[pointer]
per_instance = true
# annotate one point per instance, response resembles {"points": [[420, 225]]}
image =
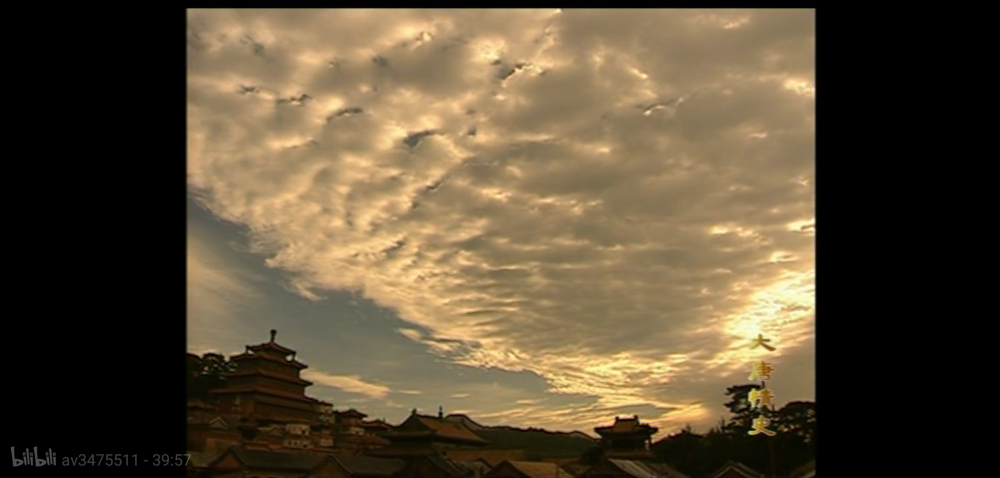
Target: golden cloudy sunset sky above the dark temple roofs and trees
{"points": [[538, 218]]}
